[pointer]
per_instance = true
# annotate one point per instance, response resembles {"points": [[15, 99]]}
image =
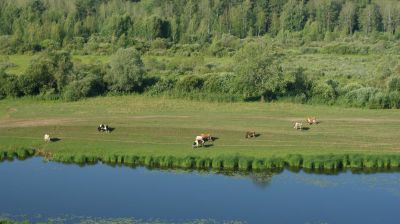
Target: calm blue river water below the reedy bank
{"points": [[39, 190]]}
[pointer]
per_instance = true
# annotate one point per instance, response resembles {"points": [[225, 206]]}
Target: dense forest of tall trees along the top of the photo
{"points": [[31, 25]]}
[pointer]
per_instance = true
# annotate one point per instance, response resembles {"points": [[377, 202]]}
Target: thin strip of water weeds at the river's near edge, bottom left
{"points": [[8, 219]]}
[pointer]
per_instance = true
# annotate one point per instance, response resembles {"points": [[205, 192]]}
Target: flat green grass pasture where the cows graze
{"points": [[149, 128]]}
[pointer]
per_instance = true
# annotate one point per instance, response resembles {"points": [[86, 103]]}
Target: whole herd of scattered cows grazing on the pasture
{"points": [[203, 138]]}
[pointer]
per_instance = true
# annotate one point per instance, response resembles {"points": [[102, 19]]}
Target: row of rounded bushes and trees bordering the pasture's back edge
{"points": [[257, 76]]}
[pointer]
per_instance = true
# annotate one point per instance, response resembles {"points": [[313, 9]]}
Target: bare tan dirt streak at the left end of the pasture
{"points": [[36, 122]]}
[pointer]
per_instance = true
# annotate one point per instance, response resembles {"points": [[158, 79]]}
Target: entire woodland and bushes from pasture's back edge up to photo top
{"points": [[257, 35]]}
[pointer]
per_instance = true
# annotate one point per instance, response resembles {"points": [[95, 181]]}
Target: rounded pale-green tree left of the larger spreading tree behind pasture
{"points": [[126, 72]]}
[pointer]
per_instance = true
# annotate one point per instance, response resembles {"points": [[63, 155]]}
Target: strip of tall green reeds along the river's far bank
{"points": [[329, 162]]}
